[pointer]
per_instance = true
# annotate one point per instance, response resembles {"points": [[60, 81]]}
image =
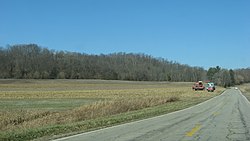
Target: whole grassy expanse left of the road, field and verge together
{"points": [[32, 109]]}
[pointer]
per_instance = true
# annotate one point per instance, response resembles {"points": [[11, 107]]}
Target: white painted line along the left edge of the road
{"points": [[64, 138]]}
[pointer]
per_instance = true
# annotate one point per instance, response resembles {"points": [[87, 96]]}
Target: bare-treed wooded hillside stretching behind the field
{"points": [[30, 61]]}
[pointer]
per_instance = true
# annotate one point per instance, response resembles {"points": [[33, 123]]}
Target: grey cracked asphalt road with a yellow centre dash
{"points": [[223, 118]]}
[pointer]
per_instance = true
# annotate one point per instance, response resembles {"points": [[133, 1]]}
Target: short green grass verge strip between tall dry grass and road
{"points": [[56, 131]]}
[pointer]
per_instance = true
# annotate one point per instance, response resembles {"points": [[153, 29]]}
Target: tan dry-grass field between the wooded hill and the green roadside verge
{"points": [[87, 100]]}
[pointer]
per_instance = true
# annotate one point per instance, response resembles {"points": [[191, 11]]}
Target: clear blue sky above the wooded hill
{"points": [[203, 33]]}
